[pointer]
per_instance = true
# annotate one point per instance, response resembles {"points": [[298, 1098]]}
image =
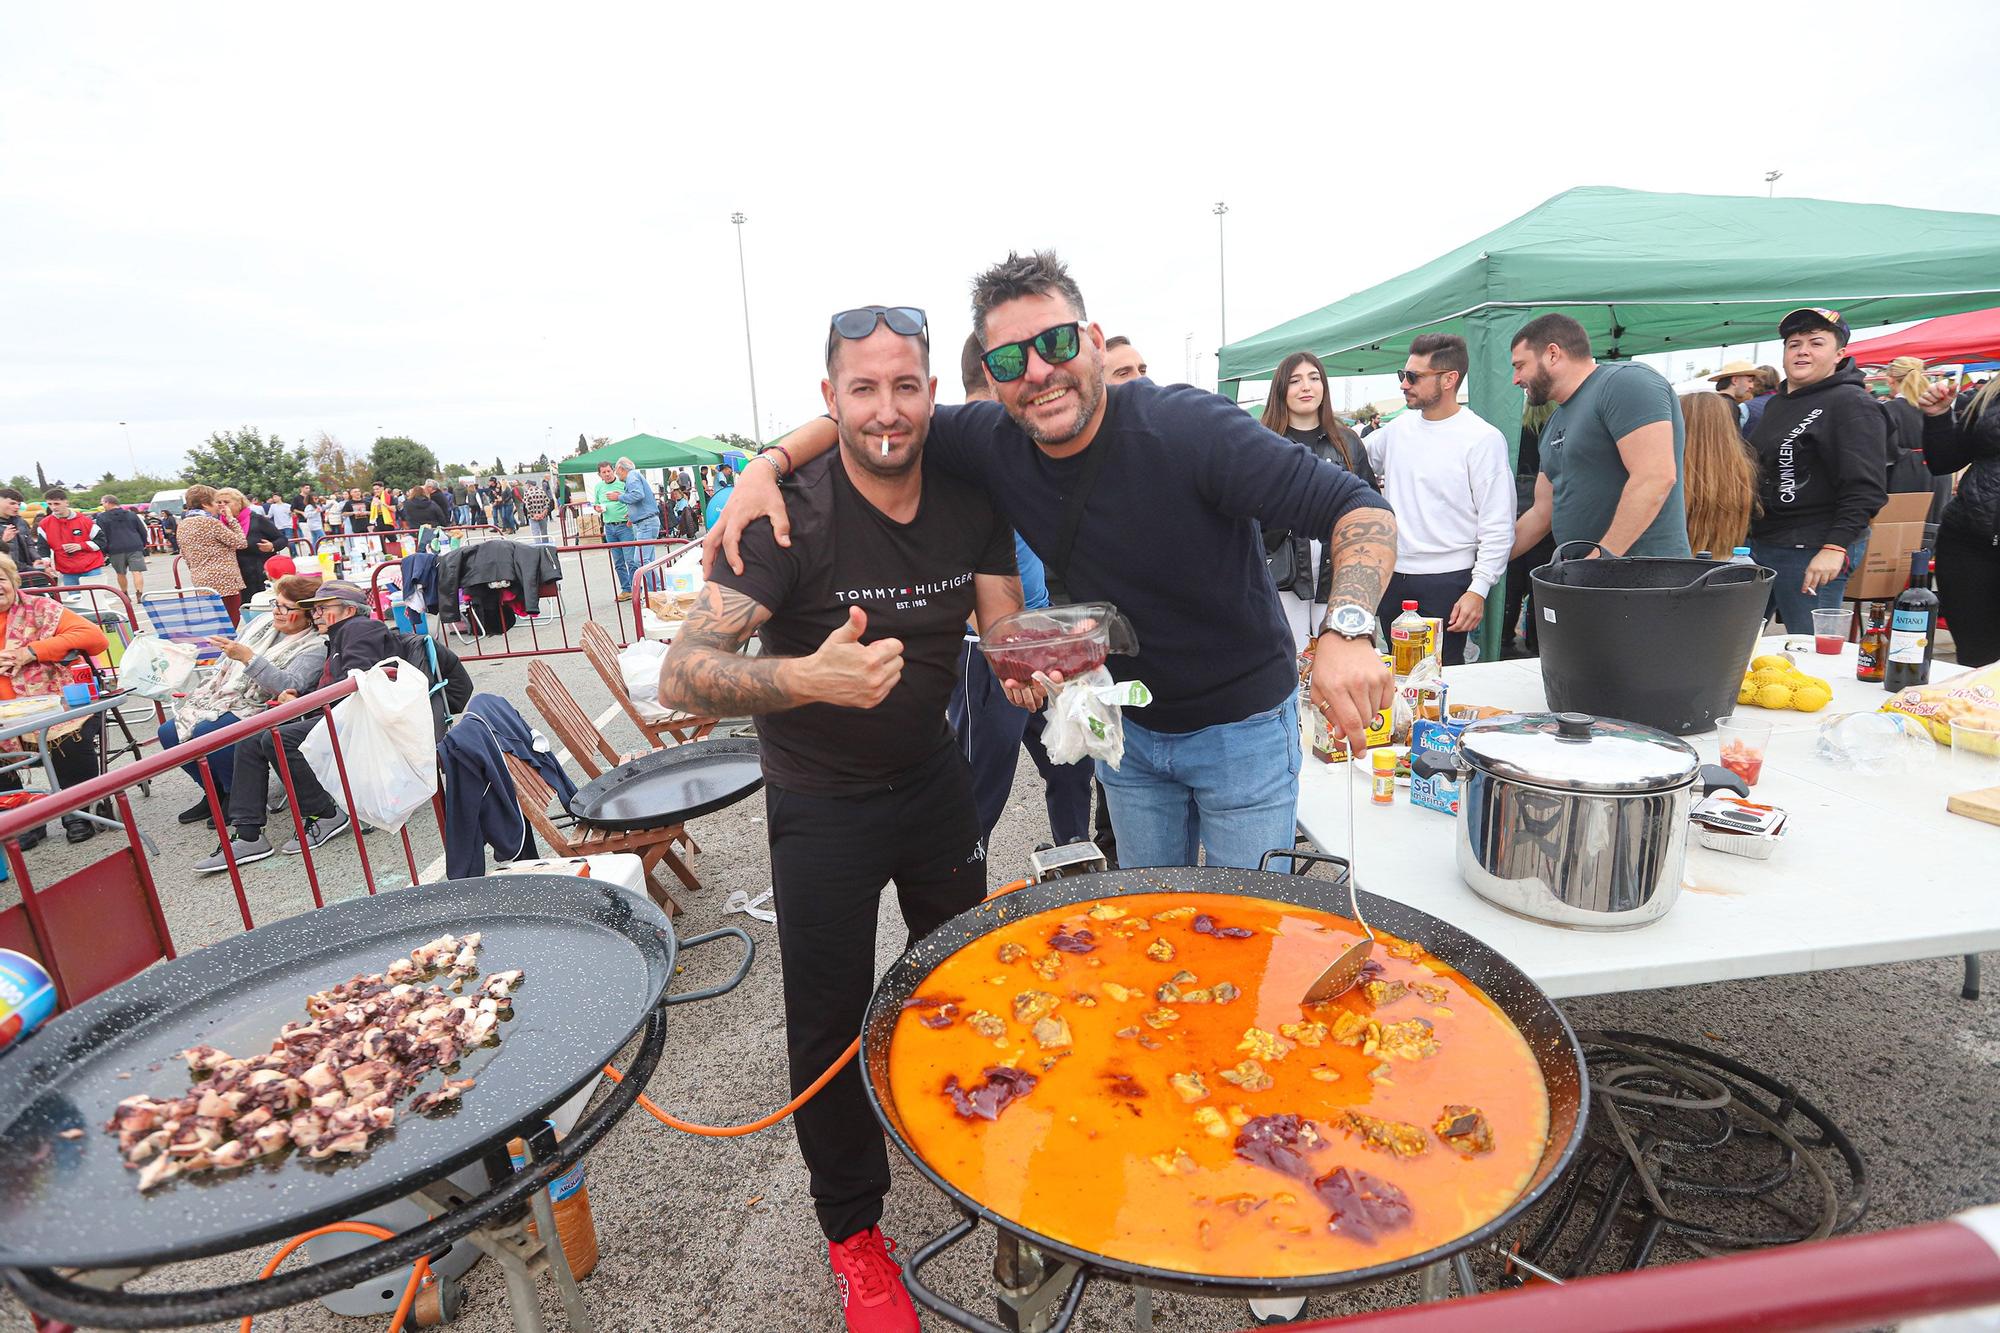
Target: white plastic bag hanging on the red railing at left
{"points": [[389, 748]]}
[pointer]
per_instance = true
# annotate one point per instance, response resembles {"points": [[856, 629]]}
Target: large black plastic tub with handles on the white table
{"points": [[1653, 641]]}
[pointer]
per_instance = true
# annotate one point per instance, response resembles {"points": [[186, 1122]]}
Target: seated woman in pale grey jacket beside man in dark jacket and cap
{"points": [[267, 657]]}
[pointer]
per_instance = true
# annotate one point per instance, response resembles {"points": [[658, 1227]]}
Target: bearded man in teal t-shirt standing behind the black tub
{"points": [[1611, 455]]}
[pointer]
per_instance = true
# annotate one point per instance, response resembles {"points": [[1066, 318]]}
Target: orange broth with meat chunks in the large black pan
{"points": [[1135, 1146]]}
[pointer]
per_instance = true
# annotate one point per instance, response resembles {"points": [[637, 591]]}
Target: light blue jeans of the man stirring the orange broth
{"points": [[1229, 788]]}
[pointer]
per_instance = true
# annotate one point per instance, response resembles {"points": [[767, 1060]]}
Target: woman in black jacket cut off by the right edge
{"points": [[1969, 533]]}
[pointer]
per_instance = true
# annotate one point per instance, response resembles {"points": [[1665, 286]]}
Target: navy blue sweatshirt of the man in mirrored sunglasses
{"points": [[1169, 535]]}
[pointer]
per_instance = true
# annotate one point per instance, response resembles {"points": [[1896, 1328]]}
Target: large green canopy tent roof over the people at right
{"points": [[1645, 273]]}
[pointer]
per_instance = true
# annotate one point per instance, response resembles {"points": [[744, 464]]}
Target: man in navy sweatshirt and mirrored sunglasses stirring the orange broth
{"points": [[1153, 499]]}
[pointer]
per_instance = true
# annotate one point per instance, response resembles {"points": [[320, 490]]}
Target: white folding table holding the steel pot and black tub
{"points": [[1873, 870]]}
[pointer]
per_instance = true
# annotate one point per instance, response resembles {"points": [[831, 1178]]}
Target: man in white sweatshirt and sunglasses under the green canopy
{"points": [[1447, 475]]}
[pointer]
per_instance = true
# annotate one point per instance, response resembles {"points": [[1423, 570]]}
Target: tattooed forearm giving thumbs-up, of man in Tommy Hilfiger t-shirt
{"points": [[707, 674]]}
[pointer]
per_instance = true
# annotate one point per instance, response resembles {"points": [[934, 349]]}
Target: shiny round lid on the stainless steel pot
{"points": [[1577, 752]]}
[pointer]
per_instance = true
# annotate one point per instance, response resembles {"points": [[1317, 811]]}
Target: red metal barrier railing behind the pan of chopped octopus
{"points": [[103, 924]]}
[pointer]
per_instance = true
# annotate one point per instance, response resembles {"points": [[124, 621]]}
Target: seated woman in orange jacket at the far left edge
{"points": [[35, 635]]}
